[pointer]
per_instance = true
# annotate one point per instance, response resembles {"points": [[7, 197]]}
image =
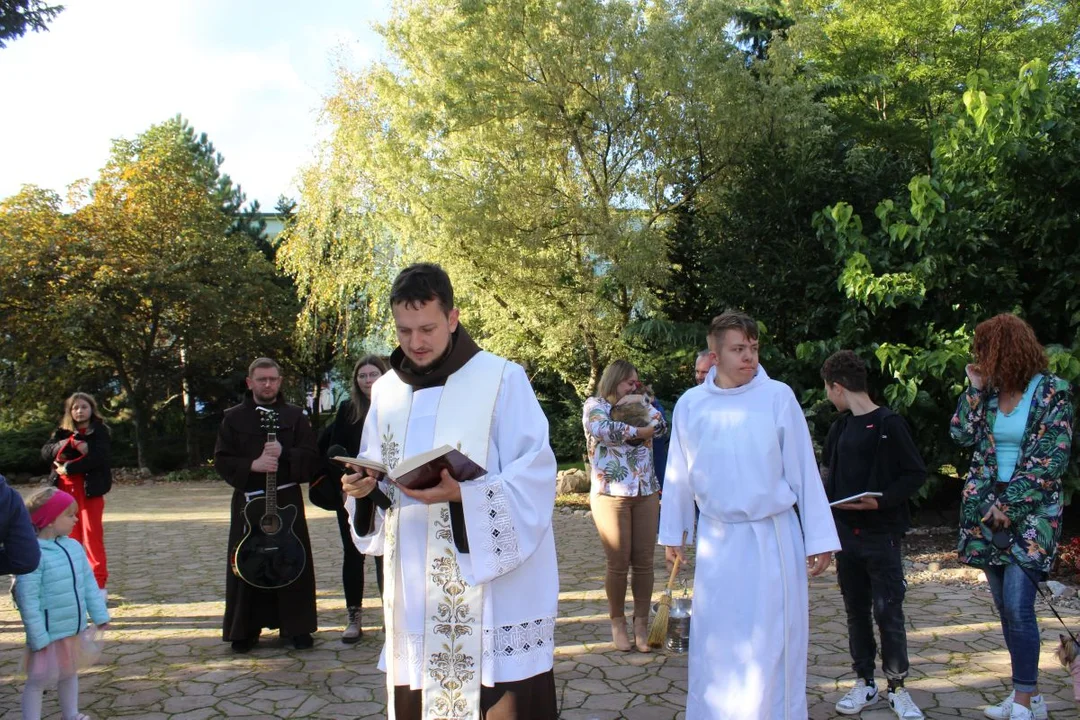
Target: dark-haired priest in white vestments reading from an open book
{"points": [[471, 579]]}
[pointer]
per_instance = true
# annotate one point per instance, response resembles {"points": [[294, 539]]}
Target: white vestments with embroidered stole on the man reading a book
{"points": [[457, 621]]}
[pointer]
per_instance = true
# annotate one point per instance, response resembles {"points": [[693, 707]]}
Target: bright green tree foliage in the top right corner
{"points": [[892, 69]]}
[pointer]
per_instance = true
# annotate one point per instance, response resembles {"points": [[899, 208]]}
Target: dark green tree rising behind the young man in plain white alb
{"points": [[747, 241]]}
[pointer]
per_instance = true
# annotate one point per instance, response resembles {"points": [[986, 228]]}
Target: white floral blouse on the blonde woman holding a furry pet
{"points": [[616, 467]]}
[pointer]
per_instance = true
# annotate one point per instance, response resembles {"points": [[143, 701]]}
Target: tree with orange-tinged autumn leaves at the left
{"points": [[143, 281]]}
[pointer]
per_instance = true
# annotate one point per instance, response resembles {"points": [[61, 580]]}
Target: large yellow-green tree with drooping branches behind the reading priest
{"points": [[536, 150]]}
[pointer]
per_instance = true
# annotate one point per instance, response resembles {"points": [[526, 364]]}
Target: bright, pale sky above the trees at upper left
{"points": [[250, 74]]}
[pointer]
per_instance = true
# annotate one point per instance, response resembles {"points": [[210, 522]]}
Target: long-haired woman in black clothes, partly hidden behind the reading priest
{"points": [[346, 431]]}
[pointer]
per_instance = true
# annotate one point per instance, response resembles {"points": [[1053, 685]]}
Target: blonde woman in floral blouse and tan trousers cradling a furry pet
{"points": [[620, 425]]}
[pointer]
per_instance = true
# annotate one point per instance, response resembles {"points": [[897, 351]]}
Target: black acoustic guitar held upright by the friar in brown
{"points": [[271, 555]]}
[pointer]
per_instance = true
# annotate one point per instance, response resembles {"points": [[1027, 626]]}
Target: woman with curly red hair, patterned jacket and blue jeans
{"points": [[1018, 418]]}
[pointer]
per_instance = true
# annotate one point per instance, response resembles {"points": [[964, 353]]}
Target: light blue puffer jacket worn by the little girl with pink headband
{"points": [[56, 599]]}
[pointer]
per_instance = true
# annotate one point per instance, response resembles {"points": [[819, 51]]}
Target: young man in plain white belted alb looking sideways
{"points": [[741, 449]]}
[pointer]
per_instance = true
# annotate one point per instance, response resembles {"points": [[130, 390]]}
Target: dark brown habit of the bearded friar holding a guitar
{"points": [[240, 442]]}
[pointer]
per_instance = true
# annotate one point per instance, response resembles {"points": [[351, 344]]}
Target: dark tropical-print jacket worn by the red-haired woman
{"points": [[1033, 499]]}
